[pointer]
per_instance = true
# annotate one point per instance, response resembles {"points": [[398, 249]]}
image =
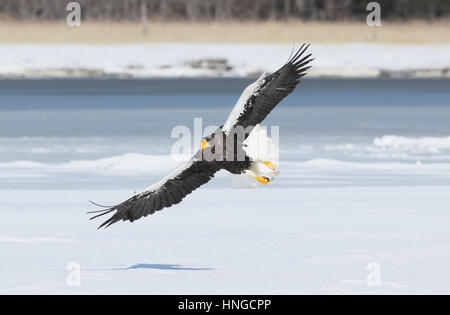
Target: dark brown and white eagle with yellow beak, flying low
{"points": [[227, 148]]}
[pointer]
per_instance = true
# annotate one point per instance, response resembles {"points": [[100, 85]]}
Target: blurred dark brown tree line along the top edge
{"points": [[132, 10]]}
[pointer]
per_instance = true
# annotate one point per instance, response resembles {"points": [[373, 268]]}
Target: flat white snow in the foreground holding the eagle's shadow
{"points": [[278, 240]]}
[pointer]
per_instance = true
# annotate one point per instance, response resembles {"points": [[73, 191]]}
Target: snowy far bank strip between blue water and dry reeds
{"points": [[219, 60]]}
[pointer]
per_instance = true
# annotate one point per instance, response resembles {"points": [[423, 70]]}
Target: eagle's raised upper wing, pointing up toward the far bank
{"points": [[261, 97]]}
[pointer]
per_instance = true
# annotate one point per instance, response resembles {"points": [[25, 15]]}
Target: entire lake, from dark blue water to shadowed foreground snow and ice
{"points": [[365, 179]]}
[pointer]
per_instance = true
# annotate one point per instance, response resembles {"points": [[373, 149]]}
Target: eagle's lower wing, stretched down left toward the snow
{"points": [[170, 190]]}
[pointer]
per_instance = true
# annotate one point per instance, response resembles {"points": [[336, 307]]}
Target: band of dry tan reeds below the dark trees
{"points": [[277, 32]]}
